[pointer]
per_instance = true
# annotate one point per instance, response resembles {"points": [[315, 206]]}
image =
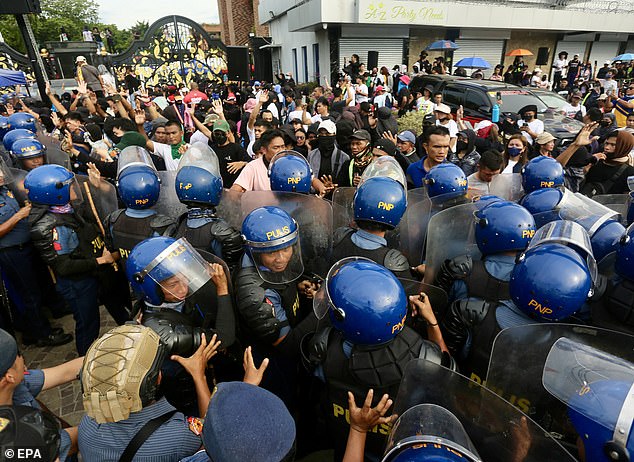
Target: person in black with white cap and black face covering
{"points": [[327, 160]]}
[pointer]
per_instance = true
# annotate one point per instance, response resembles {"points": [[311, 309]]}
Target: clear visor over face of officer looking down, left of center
{"points": [[179, 271]]}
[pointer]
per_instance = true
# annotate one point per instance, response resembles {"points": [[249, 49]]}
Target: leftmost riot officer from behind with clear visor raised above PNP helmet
{"points": [[138, 186]]}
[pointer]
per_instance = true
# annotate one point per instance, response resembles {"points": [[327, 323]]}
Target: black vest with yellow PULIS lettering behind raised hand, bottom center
{"points": [[379, 367]]}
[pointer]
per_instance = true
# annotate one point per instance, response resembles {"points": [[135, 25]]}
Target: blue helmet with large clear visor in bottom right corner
{"points": [[598, 389]]}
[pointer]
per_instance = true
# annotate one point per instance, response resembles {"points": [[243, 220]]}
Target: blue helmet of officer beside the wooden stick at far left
{"points": [[51, 185]]}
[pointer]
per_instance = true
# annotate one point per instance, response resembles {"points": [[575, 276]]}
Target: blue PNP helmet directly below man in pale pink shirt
{"points": [[289, 171]]}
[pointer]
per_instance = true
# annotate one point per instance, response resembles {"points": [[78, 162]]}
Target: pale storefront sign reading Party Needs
{"points": [[401, 12]]}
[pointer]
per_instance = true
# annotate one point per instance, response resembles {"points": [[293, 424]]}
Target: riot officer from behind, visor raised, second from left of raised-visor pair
{"points": [[199, 186]]}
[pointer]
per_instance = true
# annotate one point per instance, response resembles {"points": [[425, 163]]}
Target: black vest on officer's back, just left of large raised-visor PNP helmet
{"points": [[481, 284]]}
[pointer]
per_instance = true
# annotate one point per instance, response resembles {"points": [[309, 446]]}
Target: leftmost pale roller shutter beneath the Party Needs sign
{"points": [[390, 50]]}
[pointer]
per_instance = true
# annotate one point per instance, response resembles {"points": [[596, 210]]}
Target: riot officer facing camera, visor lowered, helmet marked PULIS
{"points": [[267, 294]]}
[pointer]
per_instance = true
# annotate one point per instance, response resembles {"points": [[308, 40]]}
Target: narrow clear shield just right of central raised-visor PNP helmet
{"points": [[413, 226]]}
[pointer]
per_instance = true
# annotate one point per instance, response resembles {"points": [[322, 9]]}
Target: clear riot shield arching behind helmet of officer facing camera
{"points": [[314, 217]]}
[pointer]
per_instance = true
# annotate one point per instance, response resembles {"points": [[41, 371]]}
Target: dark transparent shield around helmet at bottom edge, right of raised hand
{"points": [[496, 430]]}
